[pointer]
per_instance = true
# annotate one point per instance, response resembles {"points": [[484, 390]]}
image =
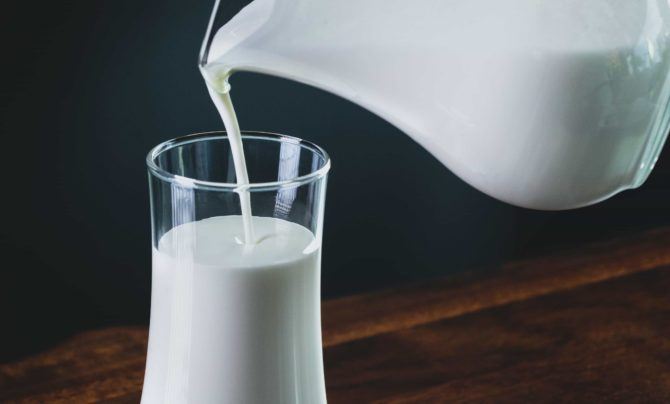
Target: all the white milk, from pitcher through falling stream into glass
{"points": [[547, 105]]}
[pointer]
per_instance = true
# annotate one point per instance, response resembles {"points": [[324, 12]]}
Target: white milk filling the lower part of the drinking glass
{"points": [[232, 322]]}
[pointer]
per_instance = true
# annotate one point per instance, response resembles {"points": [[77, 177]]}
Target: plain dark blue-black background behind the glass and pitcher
{"points": [[89, 87]]}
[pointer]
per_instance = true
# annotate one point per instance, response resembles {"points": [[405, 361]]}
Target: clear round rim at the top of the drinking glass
{"points": [[227, 186]]}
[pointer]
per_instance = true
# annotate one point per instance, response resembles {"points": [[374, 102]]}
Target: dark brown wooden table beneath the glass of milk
{"points": [[581, 326]]}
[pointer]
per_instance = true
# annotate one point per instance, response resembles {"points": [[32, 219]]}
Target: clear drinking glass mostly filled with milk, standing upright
{"points": [[235, 322]]}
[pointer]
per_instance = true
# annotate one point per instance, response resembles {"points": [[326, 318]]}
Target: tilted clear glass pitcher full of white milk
{"points": [[543, 104]]}
